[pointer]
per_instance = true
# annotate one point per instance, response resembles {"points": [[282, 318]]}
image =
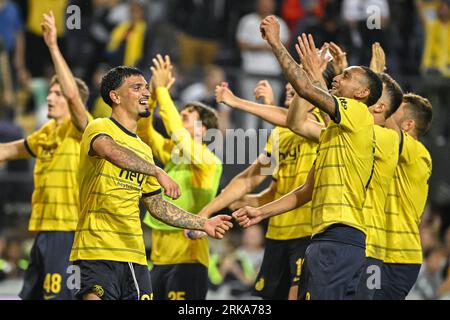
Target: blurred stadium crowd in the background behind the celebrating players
{"points": [[211, 41]]}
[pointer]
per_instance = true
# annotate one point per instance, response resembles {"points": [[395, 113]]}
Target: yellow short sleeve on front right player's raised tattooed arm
{"points": [[351, 114]]}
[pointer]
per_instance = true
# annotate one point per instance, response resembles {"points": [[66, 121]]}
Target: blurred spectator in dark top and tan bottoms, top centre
{"points": [[201, 26]]}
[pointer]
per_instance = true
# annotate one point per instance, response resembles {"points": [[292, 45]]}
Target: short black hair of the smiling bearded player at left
{"points": [[114, 78]]}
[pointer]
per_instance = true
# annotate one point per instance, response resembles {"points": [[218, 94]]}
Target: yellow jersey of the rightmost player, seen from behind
{"points": [[406, 200]]}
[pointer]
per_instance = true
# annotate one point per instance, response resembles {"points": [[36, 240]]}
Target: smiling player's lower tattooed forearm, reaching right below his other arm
{"points": [[171, 214]]}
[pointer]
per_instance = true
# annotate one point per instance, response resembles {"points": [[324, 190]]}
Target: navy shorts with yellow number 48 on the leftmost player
{"points": [[49, 268]]}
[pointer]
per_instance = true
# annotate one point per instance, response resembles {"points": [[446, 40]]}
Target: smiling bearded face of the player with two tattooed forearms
{"points": [[133, 95]]}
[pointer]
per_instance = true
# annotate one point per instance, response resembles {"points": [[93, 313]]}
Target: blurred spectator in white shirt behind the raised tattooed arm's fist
{"points": [[258, 61]]}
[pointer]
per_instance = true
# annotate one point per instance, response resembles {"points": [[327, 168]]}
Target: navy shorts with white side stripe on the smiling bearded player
{"points": [[113, 280]]}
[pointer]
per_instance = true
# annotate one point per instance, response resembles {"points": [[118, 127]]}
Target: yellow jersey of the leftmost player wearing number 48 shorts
{"points": [[55, 196]]}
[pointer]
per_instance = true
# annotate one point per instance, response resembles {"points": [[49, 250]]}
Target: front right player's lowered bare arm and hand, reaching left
{"points": [[249, 216]]}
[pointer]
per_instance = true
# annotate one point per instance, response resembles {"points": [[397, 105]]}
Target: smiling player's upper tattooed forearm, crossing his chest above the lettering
{"points": [[128, 160]]}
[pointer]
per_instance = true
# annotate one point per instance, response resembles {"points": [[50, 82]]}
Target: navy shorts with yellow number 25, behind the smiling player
{"points": [[184, 281]]}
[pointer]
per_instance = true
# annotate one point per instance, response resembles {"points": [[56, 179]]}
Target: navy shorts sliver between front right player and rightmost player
{"points": [[370, 280]]}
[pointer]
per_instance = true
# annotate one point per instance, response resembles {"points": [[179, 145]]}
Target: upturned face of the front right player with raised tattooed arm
{"points": [[348, 84]]}
